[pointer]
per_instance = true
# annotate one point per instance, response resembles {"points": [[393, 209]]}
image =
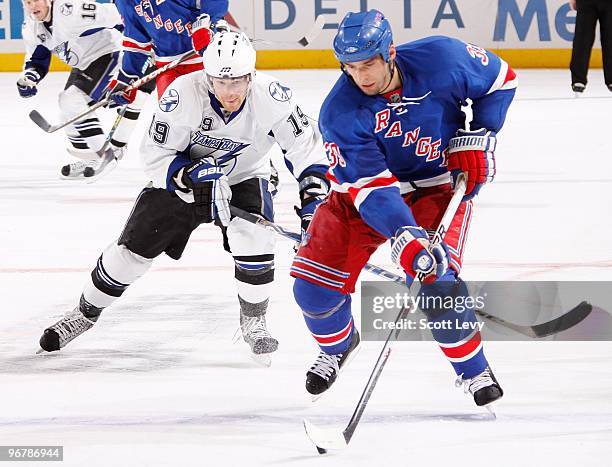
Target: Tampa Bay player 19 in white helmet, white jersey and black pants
{"points": [[208, 146]]}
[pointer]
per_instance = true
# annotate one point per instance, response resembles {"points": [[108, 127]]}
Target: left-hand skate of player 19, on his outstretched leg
{"points": [[73, 324]]}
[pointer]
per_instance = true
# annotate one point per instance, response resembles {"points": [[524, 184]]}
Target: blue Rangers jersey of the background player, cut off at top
{"points": [[162, 27]]}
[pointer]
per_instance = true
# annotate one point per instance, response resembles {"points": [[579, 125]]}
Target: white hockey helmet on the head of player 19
{"points": [[229, 55]]}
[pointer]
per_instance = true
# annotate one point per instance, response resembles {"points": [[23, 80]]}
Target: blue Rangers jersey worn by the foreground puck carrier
{"points": [[379, 148]]}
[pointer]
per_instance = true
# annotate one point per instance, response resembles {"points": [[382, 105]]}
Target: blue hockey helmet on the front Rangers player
{"points": [[362, 36]]}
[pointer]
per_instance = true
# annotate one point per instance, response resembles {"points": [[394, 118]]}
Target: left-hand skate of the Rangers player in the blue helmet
{"points": [[326, 368]]}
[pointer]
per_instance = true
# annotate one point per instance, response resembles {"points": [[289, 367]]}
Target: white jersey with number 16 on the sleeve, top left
{"points": [[79, 32]]}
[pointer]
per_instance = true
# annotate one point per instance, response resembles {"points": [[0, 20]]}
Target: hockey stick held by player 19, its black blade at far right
{"points": [[548, 328]]}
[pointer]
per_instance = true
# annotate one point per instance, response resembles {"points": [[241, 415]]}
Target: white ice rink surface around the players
{"points": [[158, 381]]}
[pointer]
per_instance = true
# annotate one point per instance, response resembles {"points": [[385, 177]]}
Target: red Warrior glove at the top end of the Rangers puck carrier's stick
{"points": [[471, 152]]}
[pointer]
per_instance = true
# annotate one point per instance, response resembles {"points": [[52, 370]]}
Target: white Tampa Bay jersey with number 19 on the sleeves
{"points": [[189, 122]]}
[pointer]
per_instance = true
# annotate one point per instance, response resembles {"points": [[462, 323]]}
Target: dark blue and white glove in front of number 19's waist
{"points": [[211, 190]]}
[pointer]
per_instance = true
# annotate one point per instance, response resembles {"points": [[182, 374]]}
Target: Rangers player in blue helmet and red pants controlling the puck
{"points": [[395, 135]]}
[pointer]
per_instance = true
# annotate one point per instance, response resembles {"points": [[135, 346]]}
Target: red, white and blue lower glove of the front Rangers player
{"points": [[414, 253]]}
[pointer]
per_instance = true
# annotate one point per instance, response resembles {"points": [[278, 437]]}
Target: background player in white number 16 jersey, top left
{"points": [[87, 36]]}
